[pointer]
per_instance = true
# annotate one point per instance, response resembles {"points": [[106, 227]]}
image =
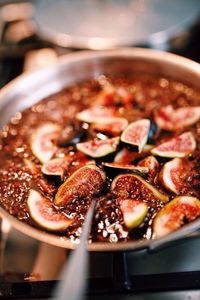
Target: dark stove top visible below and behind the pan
{"points": [[26, 271]]}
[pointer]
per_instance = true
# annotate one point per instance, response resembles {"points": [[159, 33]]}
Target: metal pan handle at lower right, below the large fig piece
{"points": [[174, 239]]}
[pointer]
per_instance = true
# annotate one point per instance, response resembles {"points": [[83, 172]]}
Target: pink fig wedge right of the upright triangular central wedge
{"points": [[179, 146]]}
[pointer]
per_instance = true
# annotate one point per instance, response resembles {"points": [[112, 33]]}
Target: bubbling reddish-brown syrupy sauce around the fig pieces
{"points": [[133, 98]]}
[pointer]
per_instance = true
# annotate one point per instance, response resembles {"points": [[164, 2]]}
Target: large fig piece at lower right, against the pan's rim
{"points": [[180, 210]]}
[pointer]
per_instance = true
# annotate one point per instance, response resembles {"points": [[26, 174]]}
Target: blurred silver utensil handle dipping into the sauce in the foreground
{"points": [[74, 286]]}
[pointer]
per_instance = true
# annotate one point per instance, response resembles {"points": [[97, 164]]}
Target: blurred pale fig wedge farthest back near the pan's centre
{"points": [[96, 113]]}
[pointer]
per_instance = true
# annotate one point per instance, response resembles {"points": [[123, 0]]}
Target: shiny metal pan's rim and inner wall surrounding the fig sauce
{"points": [[27, 89]]}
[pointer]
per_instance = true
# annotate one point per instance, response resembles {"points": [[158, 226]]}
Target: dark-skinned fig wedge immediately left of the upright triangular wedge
{"points": [[98, 148]]}
